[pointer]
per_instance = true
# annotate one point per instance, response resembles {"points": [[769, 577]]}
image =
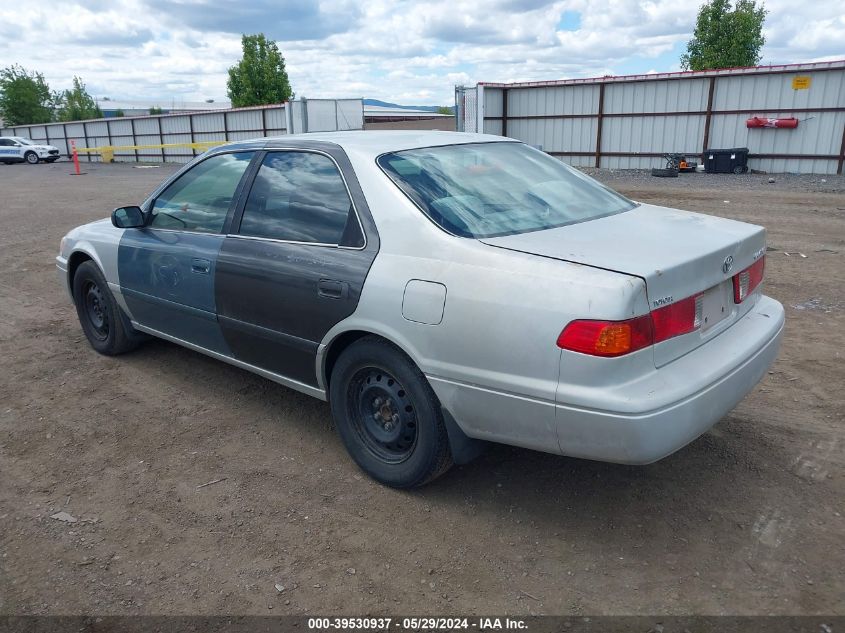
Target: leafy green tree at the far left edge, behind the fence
{"points": [[24, 97]]}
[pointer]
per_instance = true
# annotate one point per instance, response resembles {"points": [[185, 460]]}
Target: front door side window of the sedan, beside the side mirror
{"points": [[199, 200]]}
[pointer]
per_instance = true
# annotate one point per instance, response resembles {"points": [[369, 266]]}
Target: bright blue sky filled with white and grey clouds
{"points": [[405, 51]]}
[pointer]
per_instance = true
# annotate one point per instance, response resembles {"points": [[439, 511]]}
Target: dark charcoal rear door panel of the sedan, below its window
{"points": [[276, 301]]}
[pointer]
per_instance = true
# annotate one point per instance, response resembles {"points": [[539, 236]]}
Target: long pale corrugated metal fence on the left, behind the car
{"points": [[225, 125]]}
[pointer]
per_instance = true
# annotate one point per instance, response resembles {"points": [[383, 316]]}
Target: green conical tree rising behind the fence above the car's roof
{"points": [[260, 77]]}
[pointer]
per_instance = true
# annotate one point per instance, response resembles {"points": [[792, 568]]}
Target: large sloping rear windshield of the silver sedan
{"points": [[483, 190]]}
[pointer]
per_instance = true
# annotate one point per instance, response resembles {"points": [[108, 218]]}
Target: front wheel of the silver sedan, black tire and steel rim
{"points": [[101, 318]]}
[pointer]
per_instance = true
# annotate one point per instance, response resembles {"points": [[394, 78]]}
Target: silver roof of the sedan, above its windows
{"points": [[372, 142]]}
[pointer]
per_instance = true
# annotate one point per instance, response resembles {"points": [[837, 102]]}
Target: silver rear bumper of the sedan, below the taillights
{"points": [[644, 433]]}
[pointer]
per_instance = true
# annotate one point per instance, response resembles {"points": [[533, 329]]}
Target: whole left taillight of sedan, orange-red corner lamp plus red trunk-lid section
{"points": [[615, 338]]}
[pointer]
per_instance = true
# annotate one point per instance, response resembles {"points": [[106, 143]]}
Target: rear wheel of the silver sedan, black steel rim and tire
{"points": [[388, 416]]}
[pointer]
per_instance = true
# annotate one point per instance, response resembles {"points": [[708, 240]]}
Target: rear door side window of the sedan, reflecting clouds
{"points": [[297, 197]]}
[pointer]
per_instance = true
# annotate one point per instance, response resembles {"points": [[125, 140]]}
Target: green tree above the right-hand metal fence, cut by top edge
{"points": [[725, 37]]}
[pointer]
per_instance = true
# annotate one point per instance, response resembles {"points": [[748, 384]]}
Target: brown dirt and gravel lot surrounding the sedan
{"points": [[746, 520]]}
